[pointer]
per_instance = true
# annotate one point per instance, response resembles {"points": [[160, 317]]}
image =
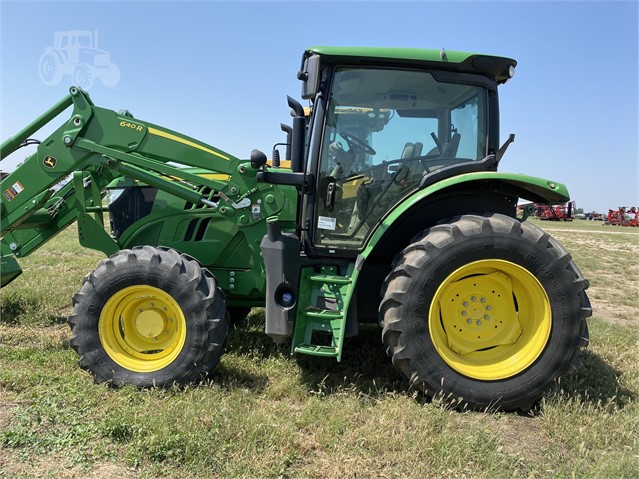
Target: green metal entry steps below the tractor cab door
{"points": [[320, 323]]}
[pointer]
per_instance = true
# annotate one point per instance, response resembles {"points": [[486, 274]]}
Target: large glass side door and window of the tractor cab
{"points": [[385, 129]]}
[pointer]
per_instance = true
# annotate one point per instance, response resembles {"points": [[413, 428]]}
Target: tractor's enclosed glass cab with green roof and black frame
{"points": [[386, 123]]}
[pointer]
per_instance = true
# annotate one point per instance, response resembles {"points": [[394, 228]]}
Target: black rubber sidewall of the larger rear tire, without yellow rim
{"points": [[490, 245]]}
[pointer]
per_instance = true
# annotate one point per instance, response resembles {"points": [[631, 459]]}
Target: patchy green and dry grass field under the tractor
{"points": [[263, 413]]}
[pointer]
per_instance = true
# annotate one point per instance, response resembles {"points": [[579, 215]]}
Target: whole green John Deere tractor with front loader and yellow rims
{"points": [[390, 211]]}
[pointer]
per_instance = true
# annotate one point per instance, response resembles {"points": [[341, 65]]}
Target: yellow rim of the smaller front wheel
{"points": [[142, 328]]}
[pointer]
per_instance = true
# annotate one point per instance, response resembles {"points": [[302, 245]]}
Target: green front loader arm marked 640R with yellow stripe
{"points": [[65, 179]]}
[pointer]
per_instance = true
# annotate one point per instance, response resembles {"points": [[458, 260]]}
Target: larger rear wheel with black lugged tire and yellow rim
{"points": [[485, 312]]}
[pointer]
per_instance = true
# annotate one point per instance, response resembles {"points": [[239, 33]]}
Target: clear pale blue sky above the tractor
{"points": [[220, 71]]}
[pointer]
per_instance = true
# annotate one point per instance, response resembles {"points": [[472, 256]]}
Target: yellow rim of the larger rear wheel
{"points": [[490, 320]]}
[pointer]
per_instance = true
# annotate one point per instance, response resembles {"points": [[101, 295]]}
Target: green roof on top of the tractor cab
{"points": [[491, 66]]}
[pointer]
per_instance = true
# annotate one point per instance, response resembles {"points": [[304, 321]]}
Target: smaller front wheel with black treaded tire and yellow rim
{"points": [[148, 317]]}
